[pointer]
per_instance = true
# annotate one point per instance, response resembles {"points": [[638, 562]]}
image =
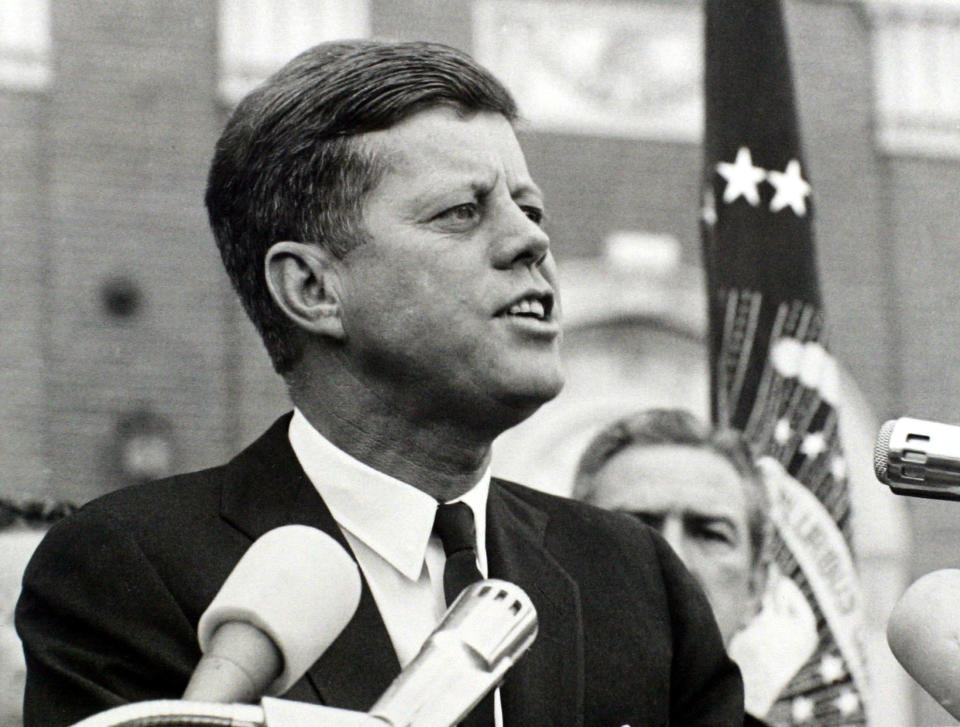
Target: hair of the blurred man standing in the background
{"points": [[678, 427]]}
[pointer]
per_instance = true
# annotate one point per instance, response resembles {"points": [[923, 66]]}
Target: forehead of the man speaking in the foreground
{"points": [[432, 147]]}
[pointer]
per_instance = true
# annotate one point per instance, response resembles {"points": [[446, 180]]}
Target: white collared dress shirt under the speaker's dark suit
{"points": [[388, 525]]}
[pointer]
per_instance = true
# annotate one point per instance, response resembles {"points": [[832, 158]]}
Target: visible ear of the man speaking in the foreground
{"points": [[303, 281]]}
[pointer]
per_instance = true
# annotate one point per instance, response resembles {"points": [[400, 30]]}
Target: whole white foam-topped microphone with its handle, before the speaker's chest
{"points": [[287, 599]]}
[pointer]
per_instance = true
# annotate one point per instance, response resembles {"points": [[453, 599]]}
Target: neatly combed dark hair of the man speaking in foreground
{"points": [[288, 165]]}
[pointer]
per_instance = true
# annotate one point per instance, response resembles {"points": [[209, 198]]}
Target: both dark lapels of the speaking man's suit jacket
{"points": [[266, 488]]}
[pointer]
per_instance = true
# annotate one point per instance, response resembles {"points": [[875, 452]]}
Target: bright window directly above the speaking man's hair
{"points": [[259, 36]]}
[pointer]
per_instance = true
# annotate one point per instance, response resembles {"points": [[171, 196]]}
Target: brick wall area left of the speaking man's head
{"points": [[103, 176]]}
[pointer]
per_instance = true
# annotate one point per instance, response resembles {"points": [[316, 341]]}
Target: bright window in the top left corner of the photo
{"points": [[24, 44]]}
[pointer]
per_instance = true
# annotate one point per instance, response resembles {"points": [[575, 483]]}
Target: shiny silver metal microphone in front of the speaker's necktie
{"points": [[488, 627]]}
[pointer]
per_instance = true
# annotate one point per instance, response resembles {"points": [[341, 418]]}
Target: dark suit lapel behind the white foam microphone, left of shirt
{"points": [[268, 489]]}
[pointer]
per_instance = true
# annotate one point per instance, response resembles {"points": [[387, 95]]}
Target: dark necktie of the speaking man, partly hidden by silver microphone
{"points": [[454, 526]]}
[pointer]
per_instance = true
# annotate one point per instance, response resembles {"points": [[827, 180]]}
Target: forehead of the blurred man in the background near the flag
{"points": [[665, 478]]}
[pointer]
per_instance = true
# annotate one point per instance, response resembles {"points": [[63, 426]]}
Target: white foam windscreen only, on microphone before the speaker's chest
{"points": [[298, 586]]}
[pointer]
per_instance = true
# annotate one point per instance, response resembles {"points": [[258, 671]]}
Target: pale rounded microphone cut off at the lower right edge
{"points": [[924, 634]]}
